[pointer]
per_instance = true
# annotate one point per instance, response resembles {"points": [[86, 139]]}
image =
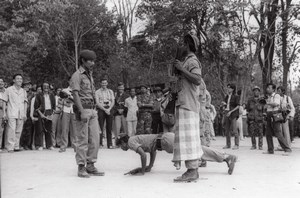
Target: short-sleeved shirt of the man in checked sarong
{"points": [[188, 92]]}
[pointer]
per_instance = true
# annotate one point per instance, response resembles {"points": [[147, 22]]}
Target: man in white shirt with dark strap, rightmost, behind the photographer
{"points": [[288, 108]]}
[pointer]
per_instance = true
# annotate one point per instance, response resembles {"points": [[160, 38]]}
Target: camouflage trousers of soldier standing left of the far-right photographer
{"points": [[255, 129]]}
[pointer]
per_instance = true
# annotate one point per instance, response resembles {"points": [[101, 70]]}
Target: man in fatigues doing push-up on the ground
{"points": [[150, 143]]}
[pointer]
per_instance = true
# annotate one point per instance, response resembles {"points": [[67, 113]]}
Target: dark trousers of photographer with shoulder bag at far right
{"points": [[275, 128]]}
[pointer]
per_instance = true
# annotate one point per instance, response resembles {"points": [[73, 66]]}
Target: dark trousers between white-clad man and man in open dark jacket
{"points": [[27, 134]]}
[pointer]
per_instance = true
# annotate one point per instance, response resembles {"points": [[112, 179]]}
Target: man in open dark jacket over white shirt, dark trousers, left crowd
{"points": [[44, 105]]}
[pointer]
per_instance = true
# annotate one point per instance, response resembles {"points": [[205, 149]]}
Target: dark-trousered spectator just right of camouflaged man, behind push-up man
{"points": [[157, 125]]}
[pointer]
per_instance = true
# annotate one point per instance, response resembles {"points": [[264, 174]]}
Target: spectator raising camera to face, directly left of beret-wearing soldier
{"points": [[67, 121]]}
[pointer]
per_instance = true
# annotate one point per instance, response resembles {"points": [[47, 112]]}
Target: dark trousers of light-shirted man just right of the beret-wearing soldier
{"points": [[102, 117]]}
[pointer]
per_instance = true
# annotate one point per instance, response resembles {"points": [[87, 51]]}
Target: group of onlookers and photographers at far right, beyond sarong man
{"points": [[270, 114]]}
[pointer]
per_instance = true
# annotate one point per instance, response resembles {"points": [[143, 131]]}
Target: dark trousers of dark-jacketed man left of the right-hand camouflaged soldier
{"points": [[231, 128]]}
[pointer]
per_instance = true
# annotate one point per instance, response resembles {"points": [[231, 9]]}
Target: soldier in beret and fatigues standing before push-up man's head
{"points": [[87, 127]]}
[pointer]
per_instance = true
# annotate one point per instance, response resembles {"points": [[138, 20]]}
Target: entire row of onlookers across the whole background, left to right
{"points": [[38, 117]]}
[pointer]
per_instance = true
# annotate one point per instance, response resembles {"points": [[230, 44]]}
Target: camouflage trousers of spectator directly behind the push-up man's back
{"points": [[144, 123]]}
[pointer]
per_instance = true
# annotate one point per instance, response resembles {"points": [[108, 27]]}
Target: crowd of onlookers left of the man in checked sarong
{"points": [[38, 117]]}
